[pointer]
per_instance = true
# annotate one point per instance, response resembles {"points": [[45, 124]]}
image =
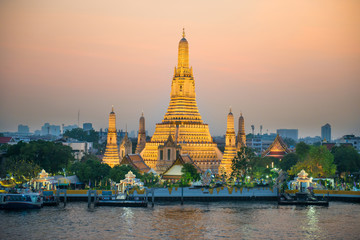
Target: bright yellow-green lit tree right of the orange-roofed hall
{"points": [[319, 162]]}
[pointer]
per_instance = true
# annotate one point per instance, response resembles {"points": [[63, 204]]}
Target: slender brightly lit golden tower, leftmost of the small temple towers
{"points": [[111, 156]]}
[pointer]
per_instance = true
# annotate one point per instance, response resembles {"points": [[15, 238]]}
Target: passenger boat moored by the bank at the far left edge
{"points": [[20, 201]]}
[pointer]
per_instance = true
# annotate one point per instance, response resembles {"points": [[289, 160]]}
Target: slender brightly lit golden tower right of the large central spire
{"points": [[230, 146]]}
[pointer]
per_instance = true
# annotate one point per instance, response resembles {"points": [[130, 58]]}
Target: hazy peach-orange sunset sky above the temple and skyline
{"points": [[282, 63]]}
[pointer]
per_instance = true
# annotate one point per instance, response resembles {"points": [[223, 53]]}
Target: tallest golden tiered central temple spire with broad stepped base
{"points": [[182, 121]]}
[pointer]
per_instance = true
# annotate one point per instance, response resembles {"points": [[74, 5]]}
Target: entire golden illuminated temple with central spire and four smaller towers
{"points": [[182, 133]]}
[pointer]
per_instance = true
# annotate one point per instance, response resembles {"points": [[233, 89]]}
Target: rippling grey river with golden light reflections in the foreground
{"points": [[222, 220]]}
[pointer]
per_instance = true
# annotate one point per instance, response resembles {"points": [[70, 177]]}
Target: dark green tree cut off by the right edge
{"points": [[346, 158]]}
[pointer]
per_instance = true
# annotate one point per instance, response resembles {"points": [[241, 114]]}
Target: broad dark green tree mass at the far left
{"points": [[52, 157]]}
